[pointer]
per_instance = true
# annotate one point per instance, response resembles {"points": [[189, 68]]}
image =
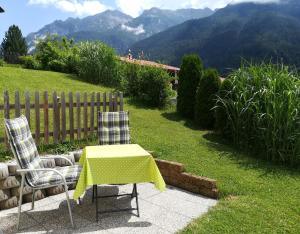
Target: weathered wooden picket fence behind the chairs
{"points": [[72, 115]]}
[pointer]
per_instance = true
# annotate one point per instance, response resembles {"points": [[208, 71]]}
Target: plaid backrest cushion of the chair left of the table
{"points": [[24, 146]]}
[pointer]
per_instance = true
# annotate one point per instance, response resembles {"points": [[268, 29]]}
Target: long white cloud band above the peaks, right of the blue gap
{"points": [[136, 7]]}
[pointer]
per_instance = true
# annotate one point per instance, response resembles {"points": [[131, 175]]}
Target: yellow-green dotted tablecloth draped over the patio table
{"points": [[117, 164]]}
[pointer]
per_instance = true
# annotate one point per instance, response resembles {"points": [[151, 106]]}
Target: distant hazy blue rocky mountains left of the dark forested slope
{"points": [[116, 28]]}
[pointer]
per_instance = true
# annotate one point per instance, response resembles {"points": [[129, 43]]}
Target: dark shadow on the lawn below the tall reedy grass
{"points": [[248, 160]]}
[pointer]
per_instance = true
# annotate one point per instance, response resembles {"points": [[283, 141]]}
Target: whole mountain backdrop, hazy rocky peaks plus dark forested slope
{"points": [[222, 38]]}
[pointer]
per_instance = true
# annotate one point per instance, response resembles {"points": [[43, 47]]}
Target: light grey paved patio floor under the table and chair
{"points": [[160, 212]]}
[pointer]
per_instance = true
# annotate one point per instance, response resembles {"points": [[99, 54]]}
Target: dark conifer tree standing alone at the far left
{"points": [[13, 45]]}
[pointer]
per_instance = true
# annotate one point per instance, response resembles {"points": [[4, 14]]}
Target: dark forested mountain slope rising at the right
{"points": [[251, 31]]}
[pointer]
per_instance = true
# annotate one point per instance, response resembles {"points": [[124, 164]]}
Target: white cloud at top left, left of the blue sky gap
{"points": [[80, 8]]}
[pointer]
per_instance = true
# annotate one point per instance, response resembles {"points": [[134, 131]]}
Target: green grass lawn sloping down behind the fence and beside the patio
{"points": [[255, 196]]}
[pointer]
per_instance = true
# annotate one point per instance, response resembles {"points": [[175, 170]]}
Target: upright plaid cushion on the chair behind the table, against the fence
{"points": [[113, 128]]}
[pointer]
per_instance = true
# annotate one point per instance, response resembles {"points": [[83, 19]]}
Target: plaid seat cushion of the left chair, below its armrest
{"points": [[71, 174]]}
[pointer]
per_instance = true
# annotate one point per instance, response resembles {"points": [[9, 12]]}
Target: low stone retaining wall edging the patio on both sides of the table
{"points": [[172, 172]]}
